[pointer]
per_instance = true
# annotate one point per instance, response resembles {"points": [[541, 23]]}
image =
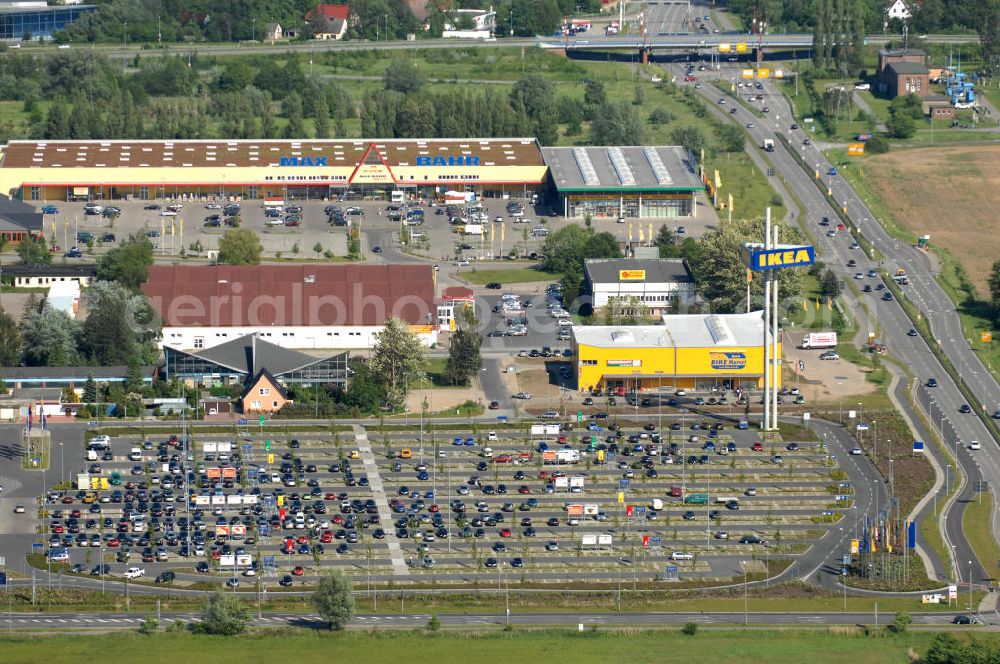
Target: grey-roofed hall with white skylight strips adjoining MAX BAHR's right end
{"points": [[623, 182]]}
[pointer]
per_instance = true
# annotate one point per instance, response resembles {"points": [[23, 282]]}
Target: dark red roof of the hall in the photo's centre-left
{"points": [[290, 295]]}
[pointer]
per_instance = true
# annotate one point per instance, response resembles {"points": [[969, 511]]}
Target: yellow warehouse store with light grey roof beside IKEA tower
{"points": [[691, 352]]}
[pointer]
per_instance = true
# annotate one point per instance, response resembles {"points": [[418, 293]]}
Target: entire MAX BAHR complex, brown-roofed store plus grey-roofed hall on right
{"points": [[606, 181]]}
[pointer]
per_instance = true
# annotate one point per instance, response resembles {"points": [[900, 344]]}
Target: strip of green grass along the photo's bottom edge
{"points": [[515, 647]]}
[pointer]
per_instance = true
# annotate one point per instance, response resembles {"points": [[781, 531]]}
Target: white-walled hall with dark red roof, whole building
{"points": [[299, 306]]}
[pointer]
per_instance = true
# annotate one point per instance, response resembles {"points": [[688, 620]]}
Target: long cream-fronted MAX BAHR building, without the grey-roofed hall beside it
{"points": [[256, 169]]}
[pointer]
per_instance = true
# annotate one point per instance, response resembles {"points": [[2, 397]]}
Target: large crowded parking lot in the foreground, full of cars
{"points": [[451, 506]]}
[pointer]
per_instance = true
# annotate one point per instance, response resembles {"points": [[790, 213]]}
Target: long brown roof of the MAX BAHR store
{"points": [[337, 152]]}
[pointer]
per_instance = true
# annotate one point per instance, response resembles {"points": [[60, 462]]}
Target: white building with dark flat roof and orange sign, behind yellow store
{"points": [[651, 287]]}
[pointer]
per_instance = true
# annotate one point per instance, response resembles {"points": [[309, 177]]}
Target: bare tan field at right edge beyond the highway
{"points": [[952, 194]]}
